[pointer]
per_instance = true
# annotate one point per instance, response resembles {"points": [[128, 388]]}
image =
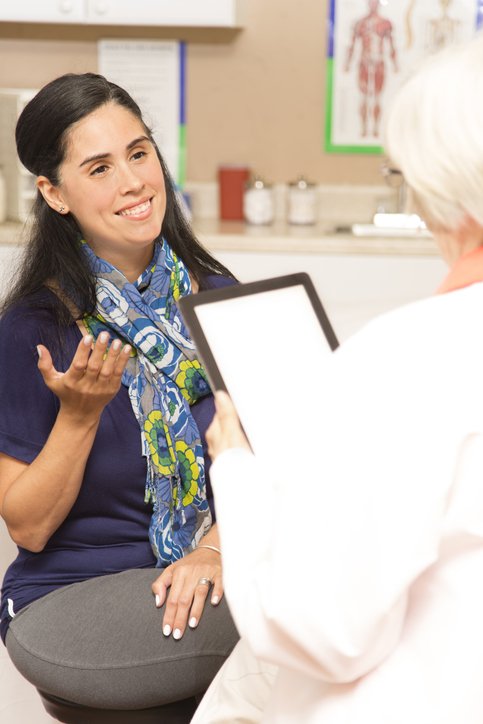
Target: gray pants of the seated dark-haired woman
{"points": [[100, 643]]}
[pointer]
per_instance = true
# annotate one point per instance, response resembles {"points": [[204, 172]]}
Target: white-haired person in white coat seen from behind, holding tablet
{"points": [[361, 596]]}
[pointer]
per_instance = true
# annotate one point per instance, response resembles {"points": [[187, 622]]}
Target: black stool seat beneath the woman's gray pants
{"points": [[178, 712]]}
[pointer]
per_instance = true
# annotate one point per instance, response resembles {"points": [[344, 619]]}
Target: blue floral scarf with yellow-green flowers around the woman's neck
{"points": [[164, 378]]}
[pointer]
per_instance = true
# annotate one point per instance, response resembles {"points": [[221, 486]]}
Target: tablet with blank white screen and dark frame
{"points": [[265, 343]]}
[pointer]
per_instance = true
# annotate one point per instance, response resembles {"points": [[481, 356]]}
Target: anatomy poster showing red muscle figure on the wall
{"points": [[373, 45]]}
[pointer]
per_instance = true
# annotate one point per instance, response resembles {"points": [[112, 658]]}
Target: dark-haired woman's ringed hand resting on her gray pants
{"points": [[187, 581]]}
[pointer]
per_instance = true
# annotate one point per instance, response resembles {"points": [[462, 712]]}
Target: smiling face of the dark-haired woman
{"points": [[112, 182]]}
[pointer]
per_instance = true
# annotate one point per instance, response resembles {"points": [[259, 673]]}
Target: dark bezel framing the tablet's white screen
{"points": [[188, 306]]}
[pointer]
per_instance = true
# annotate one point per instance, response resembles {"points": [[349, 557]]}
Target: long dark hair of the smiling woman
{"points": [[53, 253]]}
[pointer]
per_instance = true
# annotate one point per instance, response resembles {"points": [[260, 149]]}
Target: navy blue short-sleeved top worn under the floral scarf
{"points": [[106, 530]]}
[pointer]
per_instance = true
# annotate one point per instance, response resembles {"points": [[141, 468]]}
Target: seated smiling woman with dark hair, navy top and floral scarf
{"points": [[103, 465]]}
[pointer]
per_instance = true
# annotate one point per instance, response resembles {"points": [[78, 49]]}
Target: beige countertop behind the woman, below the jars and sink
{"points": [[282, 238]]}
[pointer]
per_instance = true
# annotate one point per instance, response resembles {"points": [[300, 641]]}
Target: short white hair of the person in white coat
{"points": [[434, 135]]}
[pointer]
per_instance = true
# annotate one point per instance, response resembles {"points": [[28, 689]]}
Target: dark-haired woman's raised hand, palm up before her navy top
{"points": [[92, 379]]}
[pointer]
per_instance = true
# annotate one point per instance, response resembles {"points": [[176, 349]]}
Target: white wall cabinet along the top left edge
{"points": [[189, 13]]}
